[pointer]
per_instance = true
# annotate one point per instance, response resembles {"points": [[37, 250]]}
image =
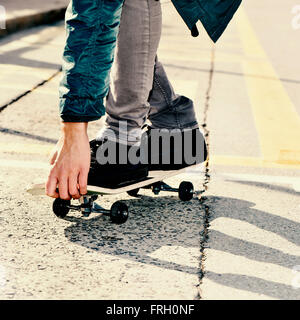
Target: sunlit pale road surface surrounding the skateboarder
{"points": [[240, 241]]}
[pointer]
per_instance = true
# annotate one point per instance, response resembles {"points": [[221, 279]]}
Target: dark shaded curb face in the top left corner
{"points": [[37, 19]]}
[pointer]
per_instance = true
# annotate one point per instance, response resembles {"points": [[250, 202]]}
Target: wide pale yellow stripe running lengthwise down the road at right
{"points": [[277, 121]]}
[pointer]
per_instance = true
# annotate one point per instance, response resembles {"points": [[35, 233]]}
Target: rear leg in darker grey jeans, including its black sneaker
{"points": [[174, 138]]}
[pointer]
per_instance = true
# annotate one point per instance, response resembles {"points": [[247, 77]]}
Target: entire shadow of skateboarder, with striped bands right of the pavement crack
{"points": [[166, 221]]}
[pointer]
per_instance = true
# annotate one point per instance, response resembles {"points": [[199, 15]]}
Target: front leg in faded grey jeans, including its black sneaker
{"points": [[127, 102]]}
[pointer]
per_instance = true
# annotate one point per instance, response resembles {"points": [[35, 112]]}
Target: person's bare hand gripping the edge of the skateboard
{"points": [[70, 163]]}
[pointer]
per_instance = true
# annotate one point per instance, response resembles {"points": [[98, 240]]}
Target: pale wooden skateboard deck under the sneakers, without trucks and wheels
{"points": [[153, 177]]}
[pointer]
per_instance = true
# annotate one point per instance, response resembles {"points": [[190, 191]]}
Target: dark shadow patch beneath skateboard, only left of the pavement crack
{"points": [[153, 223]]}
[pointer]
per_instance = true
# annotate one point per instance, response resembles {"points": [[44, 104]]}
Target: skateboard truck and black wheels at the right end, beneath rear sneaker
{"points": [[185, 190]]}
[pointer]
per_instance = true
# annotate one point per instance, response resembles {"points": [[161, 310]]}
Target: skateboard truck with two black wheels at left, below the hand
{"points": [[118, 212]]}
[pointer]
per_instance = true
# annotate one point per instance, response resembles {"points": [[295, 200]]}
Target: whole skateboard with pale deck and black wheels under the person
{"points": [[118, 212]]}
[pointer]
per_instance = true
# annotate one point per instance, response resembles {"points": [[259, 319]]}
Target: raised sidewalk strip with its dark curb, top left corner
{"points": [[21, 15]]}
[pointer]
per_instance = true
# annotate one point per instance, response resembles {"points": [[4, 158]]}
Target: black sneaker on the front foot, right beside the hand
{"points": [[113, 174]]}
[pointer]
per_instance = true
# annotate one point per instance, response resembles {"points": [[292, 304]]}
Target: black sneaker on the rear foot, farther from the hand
{"points": [[174, 149]]}
